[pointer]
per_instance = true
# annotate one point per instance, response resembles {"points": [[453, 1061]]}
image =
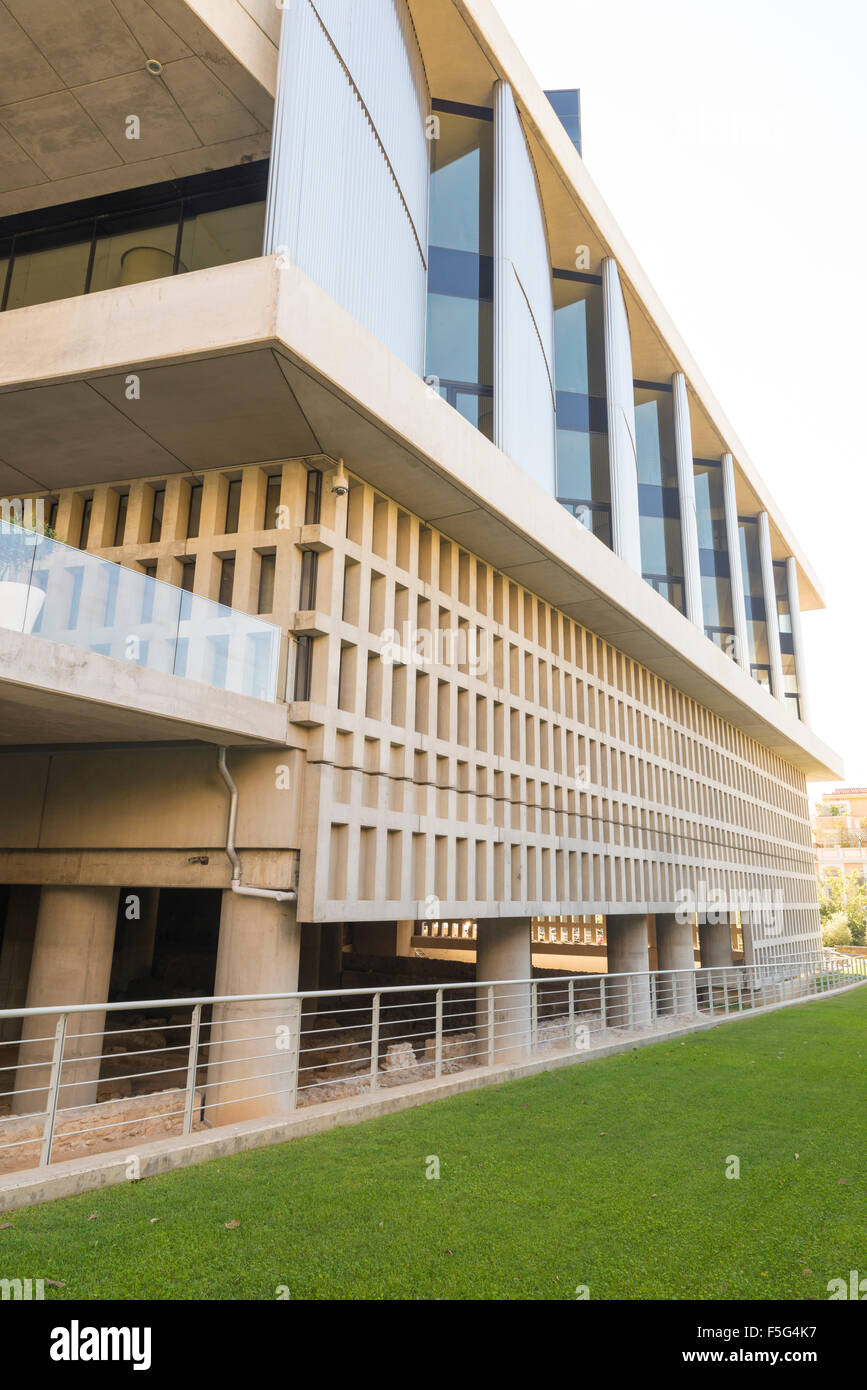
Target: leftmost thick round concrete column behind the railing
{"points": [[72, 965]]}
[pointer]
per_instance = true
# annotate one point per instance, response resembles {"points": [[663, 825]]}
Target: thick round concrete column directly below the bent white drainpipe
{"points": [[254, 1046]]}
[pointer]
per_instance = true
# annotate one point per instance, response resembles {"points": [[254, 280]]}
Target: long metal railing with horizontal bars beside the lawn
{"points": [[90, 1079]]}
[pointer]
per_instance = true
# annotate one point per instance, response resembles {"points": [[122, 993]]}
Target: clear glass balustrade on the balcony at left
{"points": [[55, 591]]}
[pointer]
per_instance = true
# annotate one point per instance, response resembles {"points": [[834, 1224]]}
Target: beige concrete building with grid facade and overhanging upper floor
{"points": [[483, 712]]}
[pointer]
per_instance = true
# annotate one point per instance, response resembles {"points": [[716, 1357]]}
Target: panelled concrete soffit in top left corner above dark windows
{"points": [[74, 76]]}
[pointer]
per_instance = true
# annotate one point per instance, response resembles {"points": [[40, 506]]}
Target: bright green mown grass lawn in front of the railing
{"points": [[609, 1175]]}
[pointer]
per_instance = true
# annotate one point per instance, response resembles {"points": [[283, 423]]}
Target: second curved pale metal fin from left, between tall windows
{"points": [[525, 309]]}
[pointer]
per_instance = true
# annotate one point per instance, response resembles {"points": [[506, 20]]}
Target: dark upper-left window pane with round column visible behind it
{"points": [[135, 247]]}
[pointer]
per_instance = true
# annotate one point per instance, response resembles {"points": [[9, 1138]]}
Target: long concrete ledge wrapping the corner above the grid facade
{"points": [[254, 363]]}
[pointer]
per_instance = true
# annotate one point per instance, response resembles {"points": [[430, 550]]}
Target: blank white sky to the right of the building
{"points": [[730, 141]]}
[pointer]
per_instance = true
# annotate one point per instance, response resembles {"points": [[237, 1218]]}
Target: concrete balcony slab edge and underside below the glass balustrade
{"points": [[52, 694]]}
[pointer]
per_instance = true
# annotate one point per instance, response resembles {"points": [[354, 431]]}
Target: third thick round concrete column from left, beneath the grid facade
{"points": [[504, 953]]}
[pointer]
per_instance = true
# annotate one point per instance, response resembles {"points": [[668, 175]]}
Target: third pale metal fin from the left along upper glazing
{"points": [[623, 454]]}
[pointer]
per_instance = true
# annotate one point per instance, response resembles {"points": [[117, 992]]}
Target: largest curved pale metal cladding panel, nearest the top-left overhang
{"points": [[348, 194]]}
